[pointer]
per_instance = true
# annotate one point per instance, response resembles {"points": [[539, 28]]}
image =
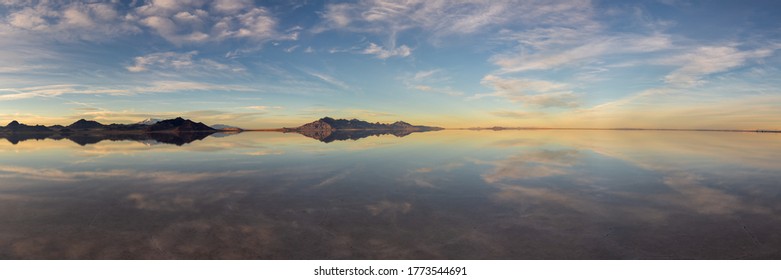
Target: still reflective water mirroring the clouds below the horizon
{"points": [[442, 195]]}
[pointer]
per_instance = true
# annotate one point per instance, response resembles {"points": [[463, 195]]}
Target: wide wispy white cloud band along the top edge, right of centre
{"points": [[445, 18]]}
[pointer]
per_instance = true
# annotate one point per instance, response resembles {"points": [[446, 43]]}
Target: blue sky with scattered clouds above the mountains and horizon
{"points": [[470, 63]]}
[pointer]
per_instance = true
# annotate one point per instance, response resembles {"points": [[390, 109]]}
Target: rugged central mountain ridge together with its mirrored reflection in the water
{"points": [[328, 129]]}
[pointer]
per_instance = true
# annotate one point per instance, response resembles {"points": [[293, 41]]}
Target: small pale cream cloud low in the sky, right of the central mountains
{"points": [[536, 92]]}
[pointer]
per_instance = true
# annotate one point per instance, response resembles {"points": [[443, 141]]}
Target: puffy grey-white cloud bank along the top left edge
{"points": [[178, 22]]}
